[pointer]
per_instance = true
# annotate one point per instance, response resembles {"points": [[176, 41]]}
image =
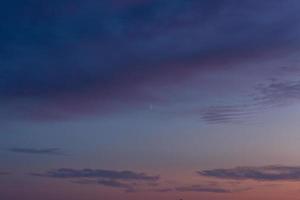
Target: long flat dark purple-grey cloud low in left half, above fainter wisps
{"points": [[98, 173]]}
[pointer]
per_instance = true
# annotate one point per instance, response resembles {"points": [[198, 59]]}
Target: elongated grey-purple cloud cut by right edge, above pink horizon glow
{"points": [[266, 173]]}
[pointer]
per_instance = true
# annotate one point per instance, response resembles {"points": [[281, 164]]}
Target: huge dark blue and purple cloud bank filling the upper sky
{"points": [[71, 58]]}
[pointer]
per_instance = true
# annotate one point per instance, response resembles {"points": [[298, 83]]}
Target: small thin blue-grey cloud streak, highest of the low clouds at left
{"points": [[45, 151]]}
